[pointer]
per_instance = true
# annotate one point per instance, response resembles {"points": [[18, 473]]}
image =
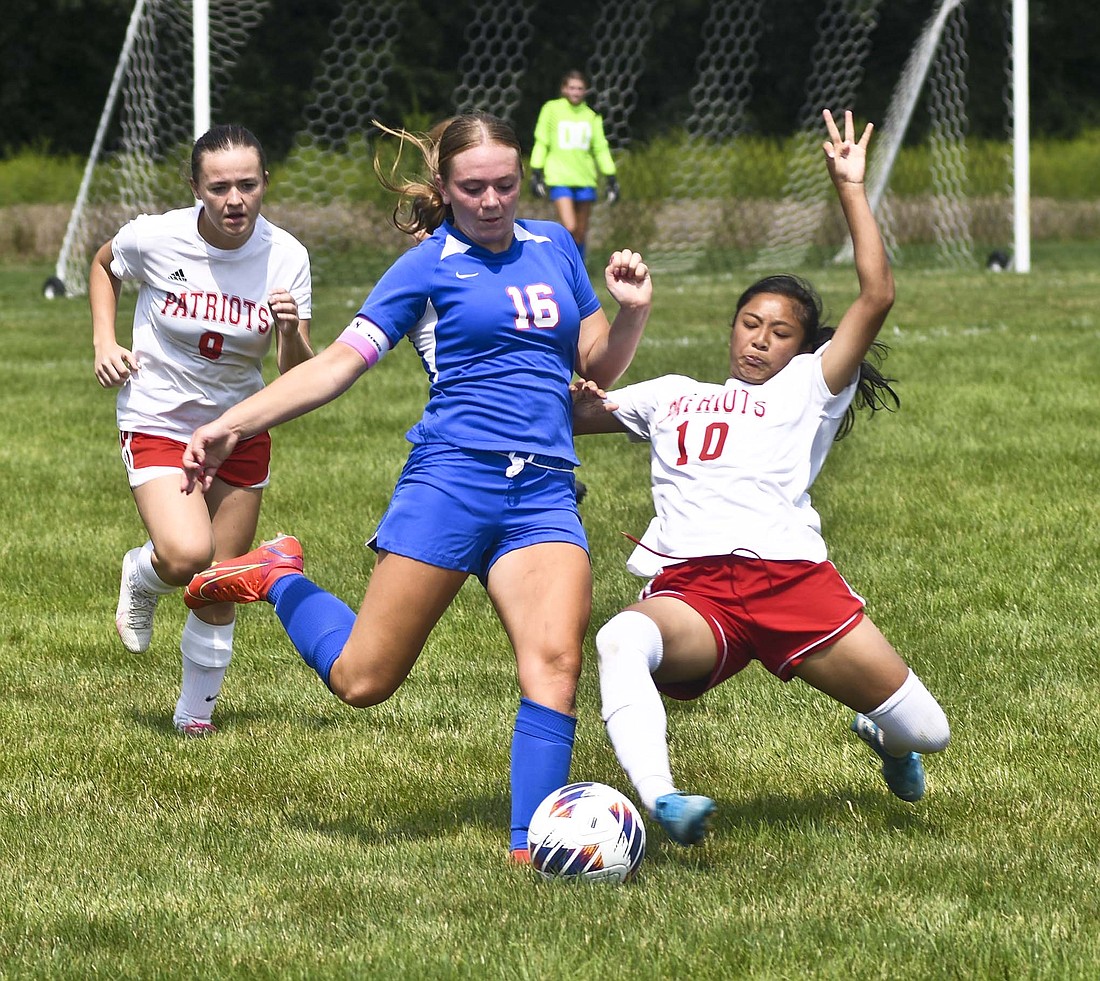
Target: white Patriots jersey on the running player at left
{"points": [[203, 325]]}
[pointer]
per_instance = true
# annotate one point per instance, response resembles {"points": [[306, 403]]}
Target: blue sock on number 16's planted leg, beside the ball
{"points": [[542, 754]]}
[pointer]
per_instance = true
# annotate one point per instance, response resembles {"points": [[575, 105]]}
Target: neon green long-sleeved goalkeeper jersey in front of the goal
{"points": [[570, 146]]}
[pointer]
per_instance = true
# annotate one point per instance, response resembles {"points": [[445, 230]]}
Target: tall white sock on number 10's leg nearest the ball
{"points": [[631, 649]]}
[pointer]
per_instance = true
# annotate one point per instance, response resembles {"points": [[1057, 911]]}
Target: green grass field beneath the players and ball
{"points": [[310, 840]]}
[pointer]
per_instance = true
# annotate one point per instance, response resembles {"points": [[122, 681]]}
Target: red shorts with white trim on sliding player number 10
{"points": [[776, 613]]}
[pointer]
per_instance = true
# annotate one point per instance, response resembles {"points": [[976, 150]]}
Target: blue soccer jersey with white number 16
{"points": [[498, 335]]}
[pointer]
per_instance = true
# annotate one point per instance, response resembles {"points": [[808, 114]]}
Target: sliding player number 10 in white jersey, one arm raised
{"points": [[740, 568]]}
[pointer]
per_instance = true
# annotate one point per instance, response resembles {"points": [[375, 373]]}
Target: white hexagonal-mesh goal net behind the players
{"points": [[707, 200]]}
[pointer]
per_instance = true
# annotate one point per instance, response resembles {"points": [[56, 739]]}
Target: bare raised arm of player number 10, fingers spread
{"points": [[846, 161]]}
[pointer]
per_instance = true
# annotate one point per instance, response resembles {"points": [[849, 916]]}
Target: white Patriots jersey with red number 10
{"points": [[732, 465]]}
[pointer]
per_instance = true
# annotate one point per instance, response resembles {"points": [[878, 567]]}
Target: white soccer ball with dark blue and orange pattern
{"points": [[587, 831]]}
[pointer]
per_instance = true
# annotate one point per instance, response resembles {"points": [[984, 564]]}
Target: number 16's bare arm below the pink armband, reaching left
{"points": [[307, 387]]}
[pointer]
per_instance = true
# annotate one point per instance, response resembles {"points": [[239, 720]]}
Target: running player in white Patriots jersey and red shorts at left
{"points": [[218, 282]]}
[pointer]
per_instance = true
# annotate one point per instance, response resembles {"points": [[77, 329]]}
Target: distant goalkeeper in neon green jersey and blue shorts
{"points": [[570, 155]]}
